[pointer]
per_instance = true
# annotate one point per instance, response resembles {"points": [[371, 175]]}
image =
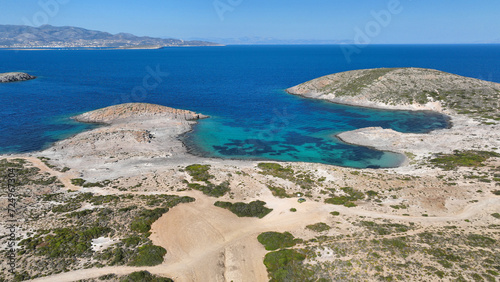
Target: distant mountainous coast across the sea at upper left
{"points": [[47, 36]]}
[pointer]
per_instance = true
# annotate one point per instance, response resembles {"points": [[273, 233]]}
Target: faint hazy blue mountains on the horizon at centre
{"points": [[256, 40]]}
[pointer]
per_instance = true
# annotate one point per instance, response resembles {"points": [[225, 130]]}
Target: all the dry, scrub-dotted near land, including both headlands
{"points": [[111, 203]]}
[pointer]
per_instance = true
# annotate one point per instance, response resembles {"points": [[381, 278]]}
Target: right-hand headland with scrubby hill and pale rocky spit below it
{"points": [[473, 106]]}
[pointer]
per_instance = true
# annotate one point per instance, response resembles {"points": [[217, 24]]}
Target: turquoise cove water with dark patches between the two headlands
{"points": [[286, 135]]}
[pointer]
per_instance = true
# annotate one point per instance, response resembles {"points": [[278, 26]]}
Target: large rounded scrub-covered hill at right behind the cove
{"points": [[405, 88]]}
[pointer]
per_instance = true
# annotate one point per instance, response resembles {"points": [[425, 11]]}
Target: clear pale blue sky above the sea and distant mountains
{"points": [[411, 21]]}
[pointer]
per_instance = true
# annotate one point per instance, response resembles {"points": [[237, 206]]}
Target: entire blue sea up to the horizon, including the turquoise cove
{"points": [[240, 87]]}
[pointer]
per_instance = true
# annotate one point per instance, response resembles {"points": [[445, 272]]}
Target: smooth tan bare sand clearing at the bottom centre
{"points": [[208, 243]]}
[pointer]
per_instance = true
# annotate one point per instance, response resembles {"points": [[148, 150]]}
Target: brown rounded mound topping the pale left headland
{"points": [[122, 112]]}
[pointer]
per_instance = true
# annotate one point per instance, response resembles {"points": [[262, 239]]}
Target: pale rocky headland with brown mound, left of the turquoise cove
{"points": [[134, 134]]}
